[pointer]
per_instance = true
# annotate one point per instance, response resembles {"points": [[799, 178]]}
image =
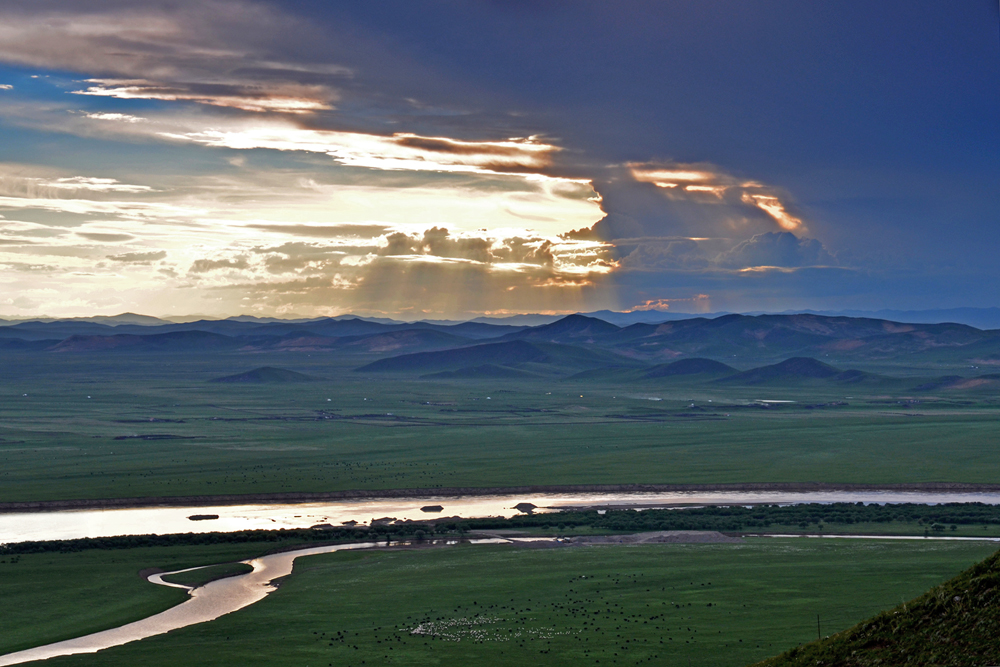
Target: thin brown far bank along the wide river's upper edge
{"points": [[438, 492]]}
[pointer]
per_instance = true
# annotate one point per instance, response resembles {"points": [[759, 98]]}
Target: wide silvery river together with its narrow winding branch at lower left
{"points": [[230, 594]]}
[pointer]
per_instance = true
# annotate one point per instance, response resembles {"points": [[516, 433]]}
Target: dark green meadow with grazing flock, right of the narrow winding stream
{"points": [[716, 604]]}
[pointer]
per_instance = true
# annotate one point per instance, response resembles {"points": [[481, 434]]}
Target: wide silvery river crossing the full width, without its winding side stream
{"points": [[71, 524]]}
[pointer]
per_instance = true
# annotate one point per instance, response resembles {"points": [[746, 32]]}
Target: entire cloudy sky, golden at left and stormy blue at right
{"points": [[449, 159]]}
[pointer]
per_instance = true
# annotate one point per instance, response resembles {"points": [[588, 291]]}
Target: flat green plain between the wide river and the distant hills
{"points": [[93, 426]]}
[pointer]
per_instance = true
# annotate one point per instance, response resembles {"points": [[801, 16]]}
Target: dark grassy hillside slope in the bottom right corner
{"points": [[954, 624]]}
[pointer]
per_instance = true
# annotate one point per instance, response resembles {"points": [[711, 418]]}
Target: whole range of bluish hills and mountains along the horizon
{"points": [[741, 349]]}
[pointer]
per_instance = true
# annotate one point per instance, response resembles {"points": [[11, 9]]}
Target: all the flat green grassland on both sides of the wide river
{"points": [[89, 426]]}
